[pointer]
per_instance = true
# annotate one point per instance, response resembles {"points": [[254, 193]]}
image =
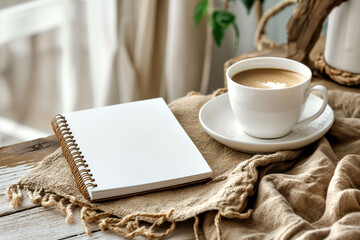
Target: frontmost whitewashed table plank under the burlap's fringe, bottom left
{"points": [[41, 223]]}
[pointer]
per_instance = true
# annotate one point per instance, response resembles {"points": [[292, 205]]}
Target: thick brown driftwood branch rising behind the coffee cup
{"points": [[304, 27]]}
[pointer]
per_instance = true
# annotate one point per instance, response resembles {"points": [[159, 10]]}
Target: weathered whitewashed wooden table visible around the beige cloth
{"points": [[36, 222]]}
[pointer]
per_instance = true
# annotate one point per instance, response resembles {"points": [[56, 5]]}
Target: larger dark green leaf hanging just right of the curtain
{"points": [[220, 20]]}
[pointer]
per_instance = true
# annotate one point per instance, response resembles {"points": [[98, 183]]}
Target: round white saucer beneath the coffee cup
{"points": [[219, 122]]}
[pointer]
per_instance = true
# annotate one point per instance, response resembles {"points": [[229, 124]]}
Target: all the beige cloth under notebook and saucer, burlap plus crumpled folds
{"points": [[310, 193]]}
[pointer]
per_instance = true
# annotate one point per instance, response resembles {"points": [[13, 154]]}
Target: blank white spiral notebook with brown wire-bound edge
{"points": [[126, 149]]}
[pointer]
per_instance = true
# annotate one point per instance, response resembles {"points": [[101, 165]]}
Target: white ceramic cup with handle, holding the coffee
{"points": [[271, 113]]}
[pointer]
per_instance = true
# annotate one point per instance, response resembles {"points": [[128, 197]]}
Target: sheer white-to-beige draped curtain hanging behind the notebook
{"points": [[145, 49]]}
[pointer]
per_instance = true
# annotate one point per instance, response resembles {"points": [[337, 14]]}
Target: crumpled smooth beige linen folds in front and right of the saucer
{"points": [[318, 197]]}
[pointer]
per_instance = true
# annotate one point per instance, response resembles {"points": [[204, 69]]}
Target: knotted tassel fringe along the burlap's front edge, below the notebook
{"points": [[128, 226]]}
